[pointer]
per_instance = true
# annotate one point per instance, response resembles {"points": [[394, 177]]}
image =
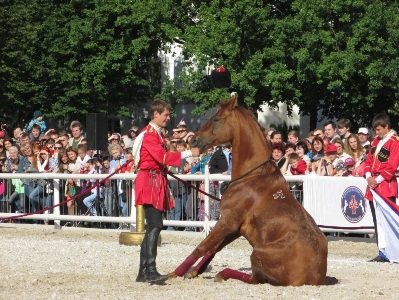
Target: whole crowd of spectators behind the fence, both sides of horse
{"points": [[329, 151]]}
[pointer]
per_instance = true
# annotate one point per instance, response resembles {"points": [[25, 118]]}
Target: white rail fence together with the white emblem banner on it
{"points": [[323, 197]]}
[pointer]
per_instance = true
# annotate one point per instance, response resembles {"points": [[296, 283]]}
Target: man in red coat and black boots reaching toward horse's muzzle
{"points": [[151, 189]]}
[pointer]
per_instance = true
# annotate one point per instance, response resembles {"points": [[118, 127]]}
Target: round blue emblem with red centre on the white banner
{"points": [[353, 204]]}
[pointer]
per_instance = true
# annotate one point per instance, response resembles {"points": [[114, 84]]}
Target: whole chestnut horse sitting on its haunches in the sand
{"points": [[288, 247]]}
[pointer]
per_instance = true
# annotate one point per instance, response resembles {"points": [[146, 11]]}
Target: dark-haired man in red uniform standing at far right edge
{"points": [[381, 164]]}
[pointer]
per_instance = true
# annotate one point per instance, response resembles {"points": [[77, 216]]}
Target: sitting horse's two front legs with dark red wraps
{"points": [[207, 249]]}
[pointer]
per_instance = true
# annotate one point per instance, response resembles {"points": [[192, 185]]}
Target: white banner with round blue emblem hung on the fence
{"points": [[337, 201]]}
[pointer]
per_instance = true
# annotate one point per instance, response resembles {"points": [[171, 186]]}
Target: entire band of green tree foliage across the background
{"points": [[332, 58]]}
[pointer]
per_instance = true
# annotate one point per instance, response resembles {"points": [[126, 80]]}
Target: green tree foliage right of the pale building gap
{"points": [[337, 58]]}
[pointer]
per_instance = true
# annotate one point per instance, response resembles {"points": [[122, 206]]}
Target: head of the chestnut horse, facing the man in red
{"points": [[219, 129]]}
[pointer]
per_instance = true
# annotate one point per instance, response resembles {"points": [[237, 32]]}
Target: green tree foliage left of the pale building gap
{"points": [[74, 57]]}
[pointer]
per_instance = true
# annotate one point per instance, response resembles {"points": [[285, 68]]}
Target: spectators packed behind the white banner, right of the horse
{"points": [[330, 151]]}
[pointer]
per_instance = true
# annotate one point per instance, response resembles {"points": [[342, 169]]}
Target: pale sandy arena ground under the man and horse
{"points": [[73, 263]]}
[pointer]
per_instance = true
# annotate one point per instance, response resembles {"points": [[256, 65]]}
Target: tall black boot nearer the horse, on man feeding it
{"points": [[152, 244]]}
